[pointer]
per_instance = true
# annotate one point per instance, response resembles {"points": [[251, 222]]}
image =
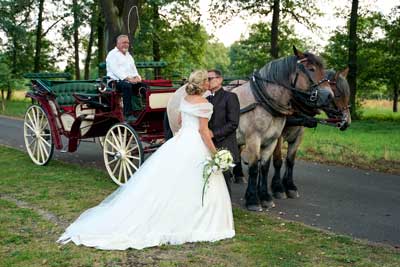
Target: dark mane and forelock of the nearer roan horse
{"points": [[279, 70]]}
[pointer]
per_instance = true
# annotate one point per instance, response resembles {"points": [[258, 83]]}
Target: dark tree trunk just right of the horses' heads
{"points": [[352, 76]]}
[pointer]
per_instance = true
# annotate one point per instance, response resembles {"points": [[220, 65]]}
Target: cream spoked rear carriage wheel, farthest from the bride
{"points": [[37, 135]]}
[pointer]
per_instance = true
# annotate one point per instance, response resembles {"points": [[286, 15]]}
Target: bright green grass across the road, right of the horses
{"points": [[366, 144]]}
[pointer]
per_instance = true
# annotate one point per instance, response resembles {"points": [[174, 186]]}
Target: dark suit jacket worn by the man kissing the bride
{"points": [[225, 120]]}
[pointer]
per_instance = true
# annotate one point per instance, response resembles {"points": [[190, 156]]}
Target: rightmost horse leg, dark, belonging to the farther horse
{"points": [[288, 182]]}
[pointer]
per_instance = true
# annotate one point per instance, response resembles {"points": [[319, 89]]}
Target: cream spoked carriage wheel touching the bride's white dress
{"points": [[123, 152]]}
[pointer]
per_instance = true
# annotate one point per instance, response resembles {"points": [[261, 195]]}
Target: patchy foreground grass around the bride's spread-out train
{"points": [[63, 190]]}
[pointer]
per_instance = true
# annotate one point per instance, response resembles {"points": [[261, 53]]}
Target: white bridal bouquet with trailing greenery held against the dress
{"points": [[219, 162]]}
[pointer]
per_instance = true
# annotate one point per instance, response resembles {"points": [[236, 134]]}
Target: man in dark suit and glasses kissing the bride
{"points": [[224, 121]]}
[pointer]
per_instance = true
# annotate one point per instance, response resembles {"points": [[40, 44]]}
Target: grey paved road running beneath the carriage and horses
{"points": [[349, 201]]}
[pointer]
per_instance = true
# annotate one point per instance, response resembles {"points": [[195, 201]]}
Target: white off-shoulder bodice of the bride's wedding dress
{"points": [[191, 112]]}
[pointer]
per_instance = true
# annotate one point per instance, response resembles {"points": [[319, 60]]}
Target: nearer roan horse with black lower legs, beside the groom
{"points": [[266, 101]]}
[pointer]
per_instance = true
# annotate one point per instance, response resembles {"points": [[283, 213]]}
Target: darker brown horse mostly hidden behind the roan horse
{"points": [[339, 115]]}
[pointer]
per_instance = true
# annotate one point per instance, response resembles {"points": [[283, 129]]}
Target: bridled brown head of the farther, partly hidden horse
{"points": [[339, 108]]}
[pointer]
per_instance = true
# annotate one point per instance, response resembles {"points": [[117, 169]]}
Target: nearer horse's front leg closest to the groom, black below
{"points": [[251, 197]]}
